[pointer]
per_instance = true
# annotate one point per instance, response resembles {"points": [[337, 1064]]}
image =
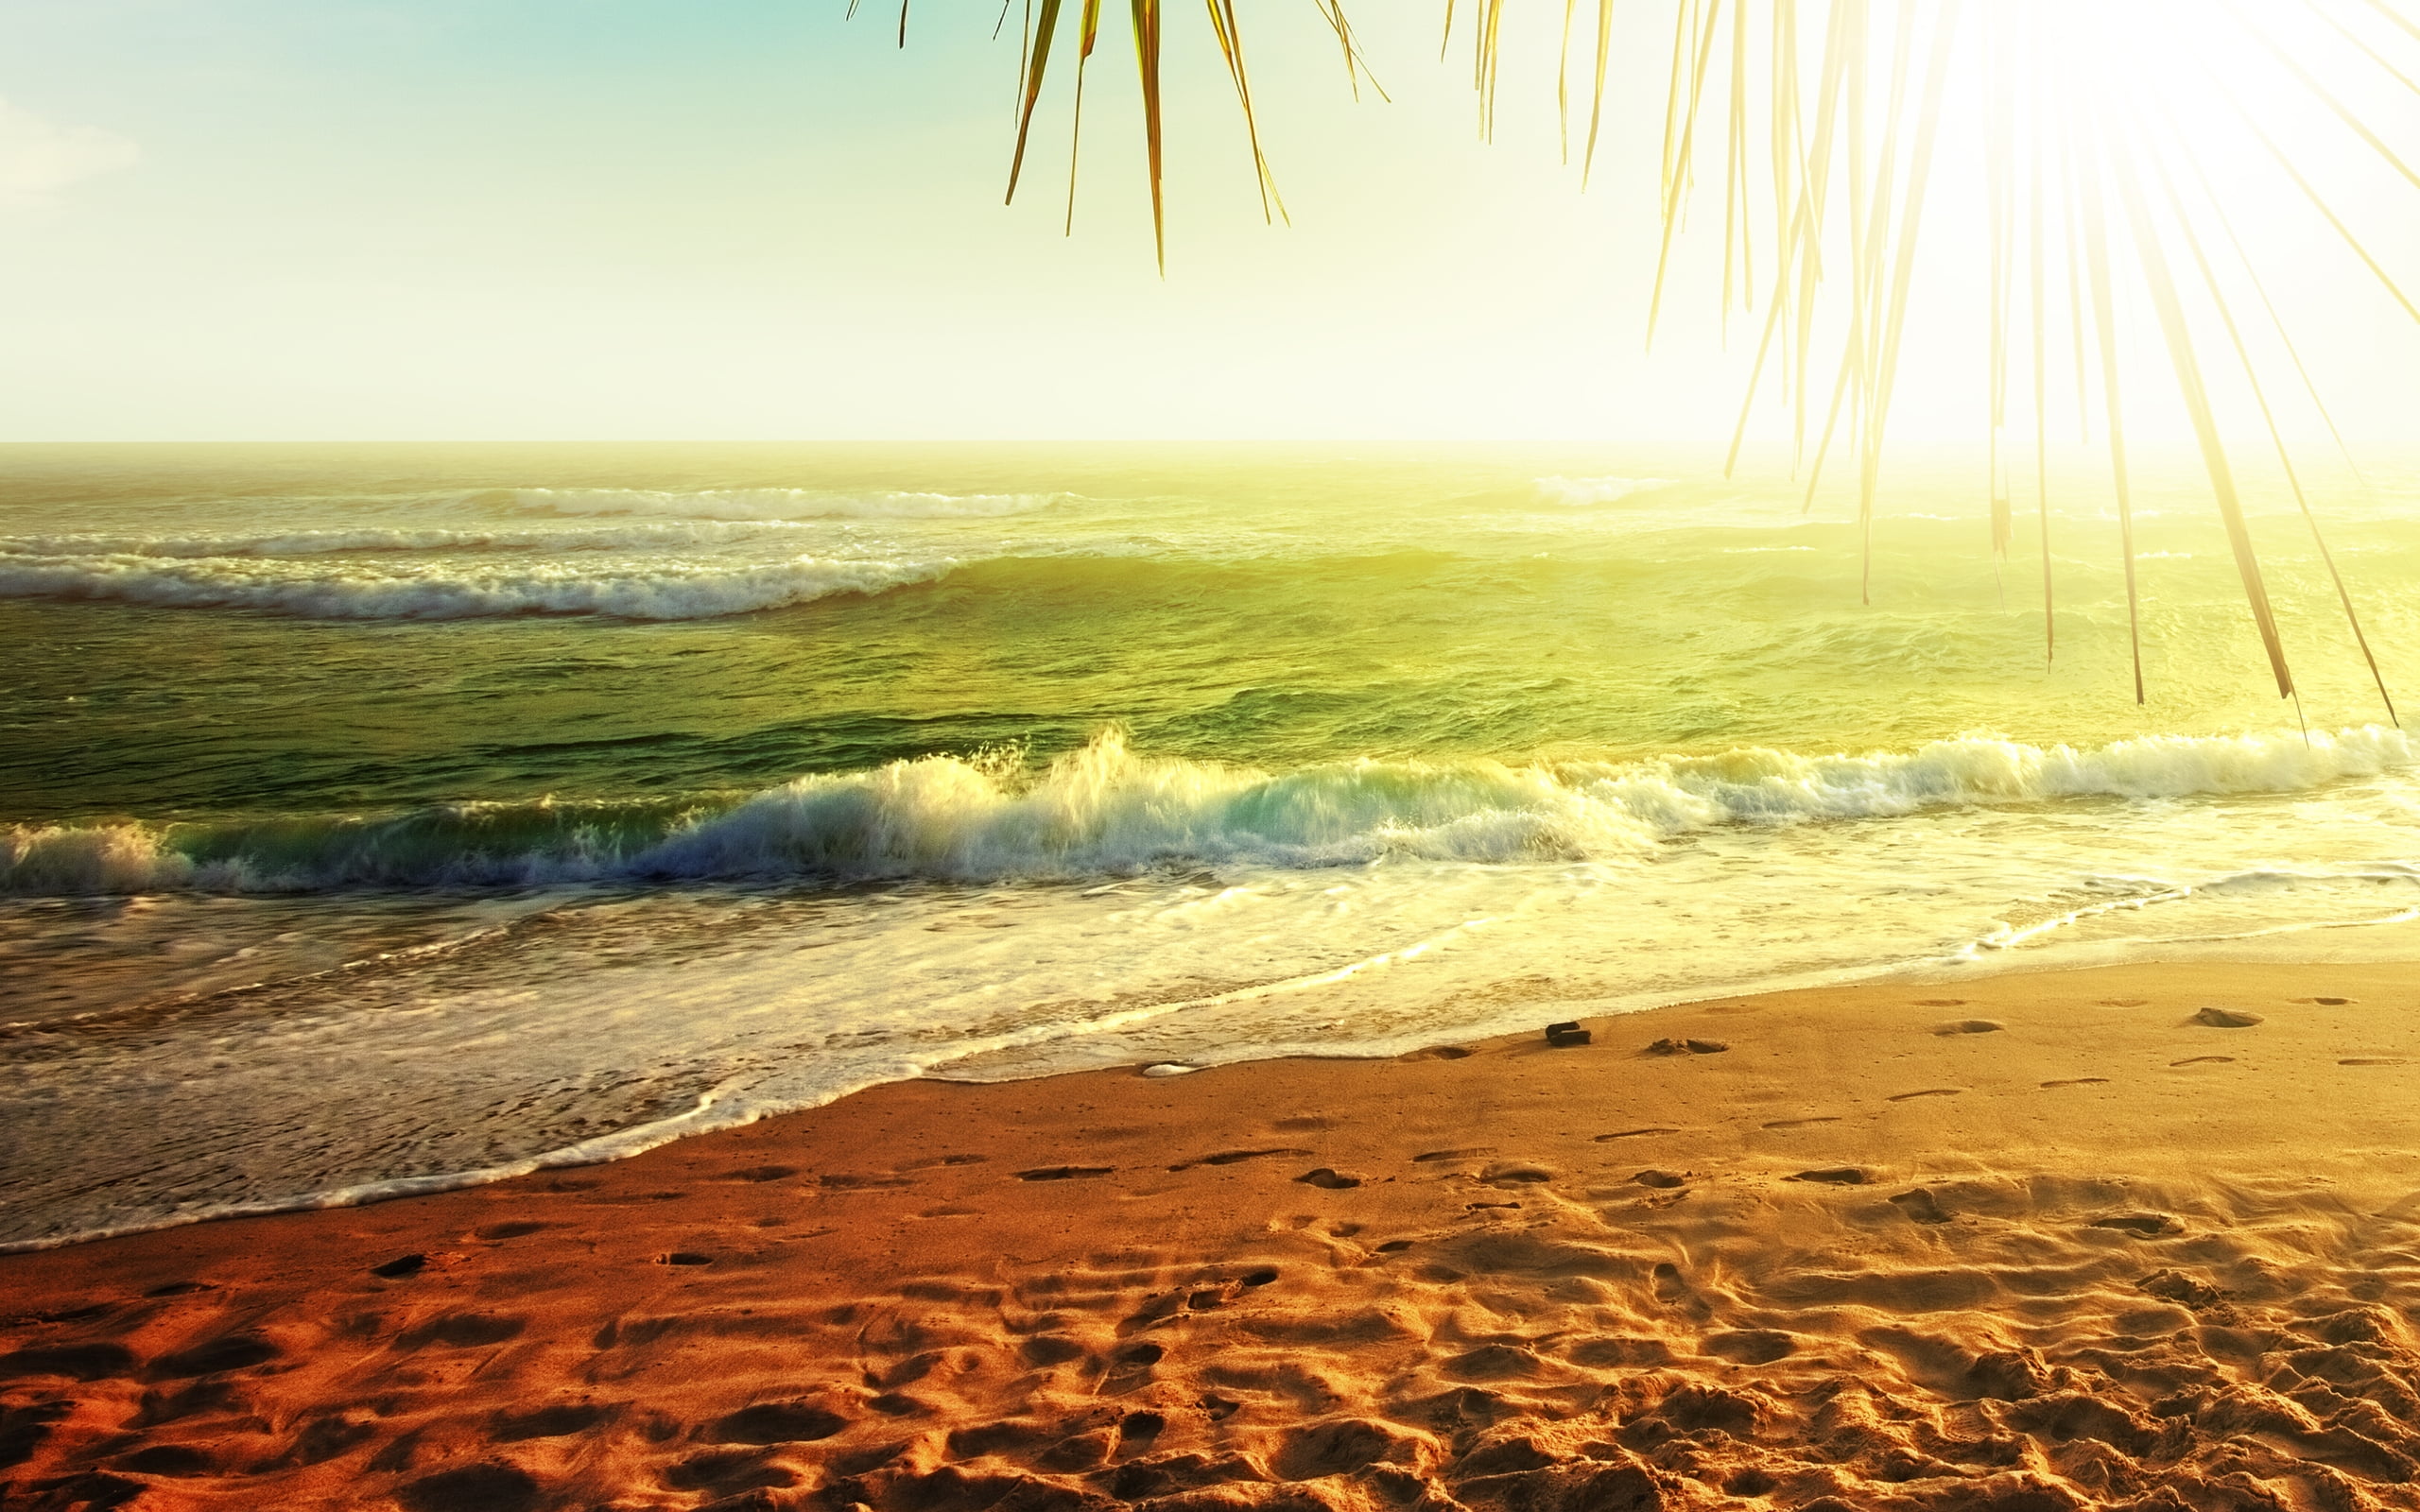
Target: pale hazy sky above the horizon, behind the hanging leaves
{"points": [[759, 219]]}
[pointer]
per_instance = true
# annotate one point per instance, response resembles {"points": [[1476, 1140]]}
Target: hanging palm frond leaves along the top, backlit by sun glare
{"points": [[1850, 156]]}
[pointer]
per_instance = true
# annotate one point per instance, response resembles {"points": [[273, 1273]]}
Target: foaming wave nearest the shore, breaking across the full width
{"points": [[1107, 812]]}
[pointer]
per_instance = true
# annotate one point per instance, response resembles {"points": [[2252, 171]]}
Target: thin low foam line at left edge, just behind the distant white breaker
{"points": [[330, 543]]}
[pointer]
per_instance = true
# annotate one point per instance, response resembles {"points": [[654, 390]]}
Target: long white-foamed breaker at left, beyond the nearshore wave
{"points": [[340, 591]]}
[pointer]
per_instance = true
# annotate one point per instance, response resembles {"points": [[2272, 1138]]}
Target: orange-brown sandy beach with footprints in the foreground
{"points": [[2138, 1237]]}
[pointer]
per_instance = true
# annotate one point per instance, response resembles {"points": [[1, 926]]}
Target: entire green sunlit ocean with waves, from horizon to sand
{"points": [[386, 819]]}
